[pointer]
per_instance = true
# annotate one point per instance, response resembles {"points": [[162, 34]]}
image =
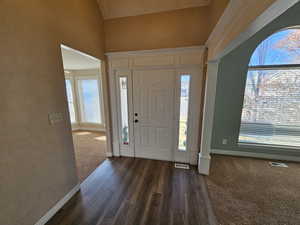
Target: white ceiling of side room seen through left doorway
{"points": [[75, 60]]}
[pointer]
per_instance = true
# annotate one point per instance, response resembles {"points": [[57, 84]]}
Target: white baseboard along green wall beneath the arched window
{"points": [[256, 155]]}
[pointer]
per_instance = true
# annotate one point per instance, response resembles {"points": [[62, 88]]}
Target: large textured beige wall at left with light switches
{"points": [[37, 165]]}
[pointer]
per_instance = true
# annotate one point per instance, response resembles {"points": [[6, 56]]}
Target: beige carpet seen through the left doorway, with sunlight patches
{"points": [[89, 151]]}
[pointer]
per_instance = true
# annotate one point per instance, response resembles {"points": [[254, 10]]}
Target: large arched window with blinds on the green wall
{"points": [[271, 110]]}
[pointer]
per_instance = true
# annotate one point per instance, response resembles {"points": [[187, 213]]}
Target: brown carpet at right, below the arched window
{"points": [[248, 191]]}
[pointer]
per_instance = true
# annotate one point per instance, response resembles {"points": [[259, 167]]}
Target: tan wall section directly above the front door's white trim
{"points": [[177, 28]]}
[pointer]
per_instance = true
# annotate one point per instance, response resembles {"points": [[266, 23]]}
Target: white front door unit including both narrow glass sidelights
{"points": [[156, 119]]}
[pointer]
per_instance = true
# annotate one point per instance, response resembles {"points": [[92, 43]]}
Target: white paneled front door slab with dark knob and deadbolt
{"points": [[153, 106]]}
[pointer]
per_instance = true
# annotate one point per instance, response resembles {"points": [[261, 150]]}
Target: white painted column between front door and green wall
{"points": [[208, 116]]}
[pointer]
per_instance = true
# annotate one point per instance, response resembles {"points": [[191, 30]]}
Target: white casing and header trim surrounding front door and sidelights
{"points": [[181, 60]]}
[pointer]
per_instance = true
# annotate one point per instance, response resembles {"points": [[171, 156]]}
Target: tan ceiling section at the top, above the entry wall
{"points": [[122, 8]]}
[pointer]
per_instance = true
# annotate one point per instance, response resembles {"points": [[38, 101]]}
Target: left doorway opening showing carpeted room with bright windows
{"points": [[84, 89]]}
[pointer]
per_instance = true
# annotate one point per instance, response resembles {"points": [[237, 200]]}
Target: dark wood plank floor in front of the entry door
{"points": [[127, 191]]}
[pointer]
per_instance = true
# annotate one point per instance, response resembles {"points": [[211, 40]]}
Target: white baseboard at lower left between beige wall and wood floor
{"points": [[58, 206]]}
